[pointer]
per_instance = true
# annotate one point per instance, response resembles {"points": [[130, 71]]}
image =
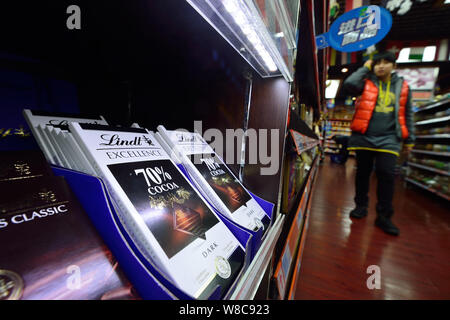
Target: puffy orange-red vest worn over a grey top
{"points": [[365, 105]]}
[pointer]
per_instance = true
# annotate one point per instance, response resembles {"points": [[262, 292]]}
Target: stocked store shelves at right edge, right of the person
{"points": [[429, 162]]}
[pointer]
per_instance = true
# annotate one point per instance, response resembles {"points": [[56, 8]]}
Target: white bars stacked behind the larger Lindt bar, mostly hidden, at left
{"points": [[38, 121]]}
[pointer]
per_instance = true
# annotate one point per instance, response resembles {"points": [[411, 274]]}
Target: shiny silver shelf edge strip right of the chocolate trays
{"points": [[252, 277]]}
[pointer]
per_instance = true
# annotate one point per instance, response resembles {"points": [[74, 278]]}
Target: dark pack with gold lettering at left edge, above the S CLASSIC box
{"points": [[15, 165]]}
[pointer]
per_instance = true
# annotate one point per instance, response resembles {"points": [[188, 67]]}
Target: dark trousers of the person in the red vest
{"points": [[385, 171]]}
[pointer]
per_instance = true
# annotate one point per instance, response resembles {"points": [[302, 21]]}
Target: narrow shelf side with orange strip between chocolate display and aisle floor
{"points": [[299, 171]]}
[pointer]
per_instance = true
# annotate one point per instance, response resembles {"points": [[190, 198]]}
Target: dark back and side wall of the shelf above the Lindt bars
{"points": [[151, 62]]}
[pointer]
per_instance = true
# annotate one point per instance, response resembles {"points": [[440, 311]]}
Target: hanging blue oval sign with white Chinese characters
{"points": [[357, 29]]}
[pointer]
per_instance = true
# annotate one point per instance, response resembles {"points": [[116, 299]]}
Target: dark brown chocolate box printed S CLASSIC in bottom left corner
{"points": [[50, 250]]}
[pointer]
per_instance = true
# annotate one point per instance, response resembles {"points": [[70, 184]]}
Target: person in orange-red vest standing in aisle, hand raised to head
{"points": [[382, 122]]}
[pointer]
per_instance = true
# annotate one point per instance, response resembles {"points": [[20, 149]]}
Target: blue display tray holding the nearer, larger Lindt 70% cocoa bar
{"points": [[149, 282]]}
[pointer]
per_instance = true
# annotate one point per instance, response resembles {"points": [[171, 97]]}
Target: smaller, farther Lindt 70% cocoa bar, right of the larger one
{"points": [[215, 179]]}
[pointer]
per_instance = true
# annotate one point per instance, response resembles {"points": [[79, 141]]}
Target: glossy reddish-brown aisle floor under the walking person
{"points": [[338, 250]]}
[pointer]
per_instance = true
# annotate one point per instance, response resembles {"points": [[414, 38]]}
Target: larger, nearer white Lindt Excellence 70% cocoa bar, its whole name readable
{"points": [[166, 218]]}
